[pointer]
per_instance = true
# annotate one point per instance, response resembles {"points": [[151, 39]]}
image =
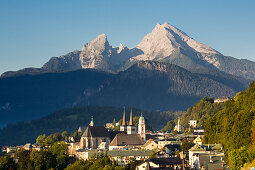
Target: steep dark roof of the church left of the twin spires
{"points": [[96, 131]]}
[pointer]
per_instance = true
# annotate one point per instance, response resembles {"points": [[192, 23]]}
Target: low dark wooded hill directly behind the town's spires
{"points": [[70, 120]]}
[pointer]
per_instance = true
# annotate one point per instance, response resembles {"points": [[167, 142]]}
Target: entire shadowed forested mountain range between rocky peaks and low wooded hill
{"points": [[146, 85]]}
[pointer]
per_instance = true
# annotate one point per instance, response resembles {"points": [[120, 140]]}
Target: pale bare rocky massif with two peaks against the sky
{"points": [[165, 43]]}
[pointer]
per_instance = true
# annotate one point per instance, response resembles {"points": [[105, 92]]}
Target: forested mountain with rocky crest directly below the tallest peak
{"points": [[160, 86]]}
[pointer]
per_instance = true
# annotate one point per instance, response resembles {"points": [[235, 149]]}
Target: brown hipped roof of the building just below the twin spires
{"points": [[125, 139]]}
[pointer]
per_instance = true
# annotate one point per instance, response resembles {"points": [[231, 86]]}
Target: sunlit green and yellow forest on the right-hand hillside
{"points": [[234, 127]]}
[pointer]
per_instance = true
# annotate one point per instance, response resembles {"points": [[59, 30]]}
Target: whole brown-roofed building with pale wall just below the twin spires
{"points": [[122, 140]]}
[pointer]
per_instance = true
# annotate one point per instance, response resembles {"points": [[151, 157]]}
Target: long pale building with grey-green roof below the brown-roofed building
{"points": [[123, 157]]}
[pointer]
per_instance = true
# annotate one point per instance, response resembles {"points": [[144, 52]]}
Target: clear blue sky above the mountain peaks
{"points": [[32, 31]]}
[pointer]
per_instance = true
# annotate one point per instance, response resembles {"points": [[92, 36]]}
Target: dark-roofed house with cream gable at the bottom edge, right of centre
{"points": [[161, 163]]}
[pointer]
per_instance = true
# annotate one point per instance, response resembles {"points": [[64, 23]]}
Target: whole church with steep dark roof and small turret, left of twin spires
{"points": [[94, 136]]}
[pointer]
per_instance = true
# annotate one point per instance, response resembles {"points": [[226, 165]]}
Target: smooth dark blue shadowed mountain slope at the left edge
{"points": [[33, 96]]}
